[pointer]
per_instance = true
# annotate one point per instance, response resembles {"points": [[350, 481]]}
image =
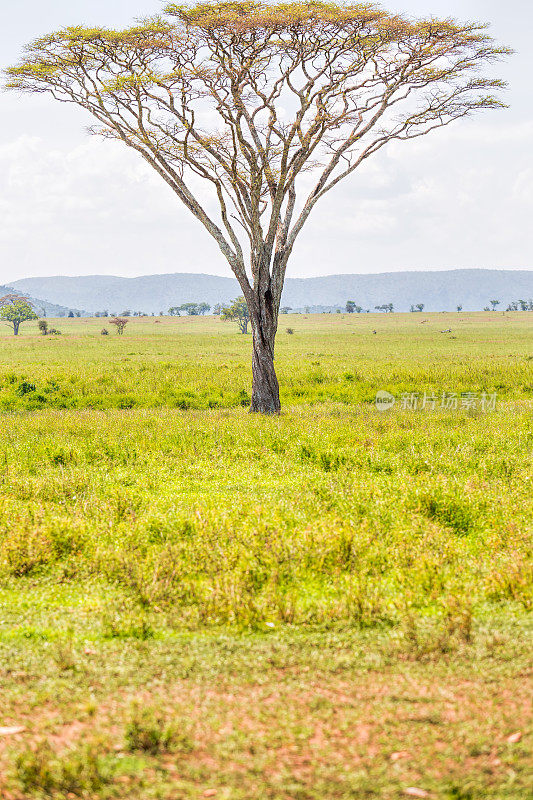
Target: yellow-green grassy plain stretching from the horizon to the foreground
{"points": [[330, 604]]}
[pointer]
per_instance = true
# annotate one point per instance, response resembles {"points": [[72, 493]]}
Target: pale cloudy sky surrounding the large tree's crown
{"points": [[71, 204]]}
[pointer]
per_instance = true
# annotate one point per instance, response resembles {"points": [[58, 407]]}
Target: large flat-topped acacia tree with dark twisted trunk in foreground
{"points": [[272, 105]]}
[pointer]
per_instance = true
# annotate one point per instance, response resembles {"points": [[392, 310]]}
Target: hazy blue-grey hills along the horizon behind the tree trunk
{"points": [[438, 290]]}
